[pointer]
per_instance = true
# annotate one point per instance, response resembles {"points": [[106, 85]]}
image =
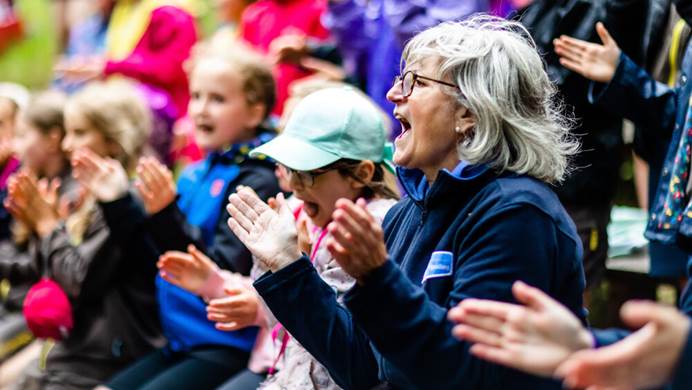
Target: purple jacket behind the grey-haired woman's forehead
{"points": [[371, 35]]}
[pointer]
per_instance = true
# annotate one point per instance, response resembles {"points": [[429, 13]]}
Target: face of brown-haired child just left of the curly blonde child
{"points": [[31, 146]]}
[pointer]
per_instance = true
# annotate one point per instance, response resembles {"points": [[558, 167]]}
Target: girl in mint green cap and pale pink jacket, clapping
{"points": [[333, 146]]}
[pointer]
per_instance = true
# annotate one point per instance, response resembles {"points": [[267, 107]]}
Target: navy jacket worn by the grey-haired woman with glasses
{"points": [[483, 232]]}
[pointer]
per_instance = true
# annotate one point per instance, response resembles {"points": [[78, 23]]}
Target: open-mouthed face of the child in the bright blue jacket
{"points": [[218, 106]]}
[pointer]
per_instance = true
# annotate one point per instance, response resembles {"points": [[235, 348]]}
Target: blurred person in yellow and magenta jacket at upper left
{"points": [[147, 41]]}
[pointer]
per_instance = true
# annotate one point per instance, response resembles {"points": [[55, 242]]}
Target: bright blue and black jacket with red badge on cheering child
{"points": [[199, 217]]}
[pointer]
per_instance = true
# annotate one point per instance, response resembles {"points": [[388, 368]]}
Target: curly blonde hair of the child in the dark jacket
{"points": [[119, 112]]}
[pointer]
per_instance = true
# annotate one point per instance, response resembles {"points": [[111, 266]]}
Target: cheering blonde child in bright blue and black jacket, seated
{"points": [[232, 93]]}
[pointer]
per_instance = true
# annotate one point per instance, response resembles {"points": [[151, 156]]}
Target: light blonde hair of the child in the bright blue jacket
{"points": [[253, 69]]}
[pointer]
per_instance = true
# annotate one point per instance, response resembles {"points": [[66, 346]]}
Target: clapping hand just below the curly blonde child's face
{"points": [[105, 178]]}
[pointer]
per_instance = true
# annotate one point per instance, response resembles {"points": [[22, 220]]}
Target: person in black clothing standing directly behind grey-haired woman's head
{"points": [[589, 191]]}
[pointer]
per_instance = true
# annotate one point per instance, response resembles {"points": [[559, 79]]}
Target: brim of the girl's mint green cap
{"points": [[295, 153]]}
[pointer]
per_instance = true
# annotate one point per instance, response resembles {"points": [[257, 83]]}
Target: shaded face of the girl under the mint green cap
{"points": [[327, 188]]}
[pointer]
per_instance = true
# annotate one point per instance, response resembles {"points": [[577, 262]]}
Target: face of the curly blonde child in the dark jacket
{"points": [[80, 134]]}
